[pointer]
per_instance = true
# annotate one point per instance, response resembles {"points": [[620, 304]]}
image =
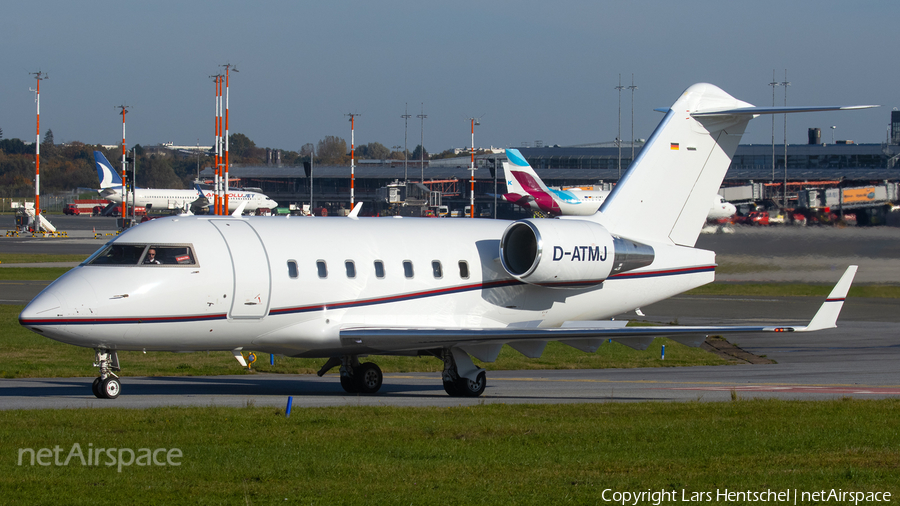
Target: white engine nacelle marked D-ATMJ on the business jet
{"points": [[567, 253]]}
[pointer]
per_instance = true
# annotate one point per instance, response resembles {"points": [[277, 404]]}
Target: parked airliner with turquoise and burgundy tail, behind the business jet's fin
{"points": [[525, 188]]}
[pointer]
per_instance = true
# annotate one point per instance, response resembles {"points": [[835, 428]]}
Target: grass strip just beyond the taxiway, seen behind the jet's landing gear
{"points": [[30, 355]]}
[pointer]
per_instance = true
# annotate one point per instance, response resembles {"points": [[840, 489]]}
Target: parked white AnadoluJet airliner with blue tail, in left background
{"points": [[111, 189]]}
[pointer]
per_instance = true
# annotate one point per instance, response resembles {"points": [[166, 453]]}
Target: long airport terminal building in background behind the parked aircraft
{"points": [[814, 165]]}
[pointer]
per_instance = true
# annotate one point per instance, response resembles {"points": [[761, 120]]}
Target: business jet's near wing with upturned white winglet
{"points": [[587, 336]]}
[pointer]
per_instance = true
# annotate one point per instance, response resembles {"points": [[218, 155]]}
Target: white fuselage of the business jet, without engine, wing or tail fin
{"points": [[290, 284]]}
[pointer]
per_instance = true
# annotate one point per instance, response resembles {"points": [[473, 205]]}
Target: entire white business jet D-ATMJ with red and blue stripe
{"points": [[345, 288]]}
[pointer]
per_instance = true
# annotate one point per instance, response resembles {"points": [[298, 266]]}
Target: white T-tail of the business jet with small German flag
{"points": [[682, 166]]}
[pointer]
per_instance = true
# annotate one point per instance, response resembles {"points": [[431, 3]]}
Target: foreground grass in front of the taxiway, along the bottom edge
{"points": [[486, 454]]}
